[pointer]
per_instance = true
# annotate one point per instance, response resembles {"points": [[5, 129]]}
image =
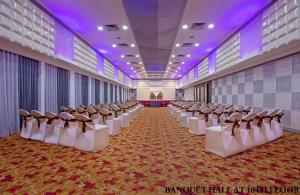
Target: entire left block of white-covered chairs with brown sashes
{"points": [[86, 128]]}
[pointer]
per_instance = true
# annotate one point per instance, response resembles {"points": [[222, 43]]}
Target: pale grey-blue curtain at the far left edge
{"points": [[9, 102]]}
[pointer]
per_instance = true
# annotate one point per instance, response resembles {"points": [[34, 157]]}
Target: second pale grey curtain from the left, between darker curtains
{"points": [[51, 95]]}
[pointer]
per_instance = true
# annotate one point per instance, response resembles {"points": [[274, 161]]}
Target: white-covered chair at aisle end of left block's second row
{"points": [[114, 124]]}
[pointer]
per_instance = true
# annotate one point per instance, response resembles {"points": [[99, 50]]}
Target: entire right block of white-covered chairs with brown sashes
{"points": [[229, 129]]}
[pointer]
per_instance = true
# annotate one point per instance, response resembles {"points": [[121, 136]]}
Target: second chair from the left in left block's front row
{"points": [[39, 126]]}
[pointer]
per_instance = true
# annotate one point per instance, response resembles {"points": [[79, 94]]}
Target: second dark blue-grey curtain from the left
{"points": [[63, 76]]}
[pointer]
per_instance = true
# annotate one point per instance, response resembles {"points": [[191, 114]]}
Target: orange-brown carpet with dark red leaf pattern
{"points": [[152, 153]]}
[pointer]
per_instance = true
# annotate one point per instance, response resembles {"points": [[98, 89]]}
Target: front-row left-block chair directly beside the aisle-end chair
{"points": [[68, 130]]}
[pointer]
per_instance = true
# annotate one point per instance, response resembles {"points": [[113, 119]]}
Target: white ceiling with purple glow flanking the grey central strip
{"points": [[84, 16]]}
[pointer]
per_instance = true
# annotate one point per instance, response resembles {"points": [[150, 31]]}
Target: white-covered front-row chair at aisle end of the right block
{"points": [[223, 140]]}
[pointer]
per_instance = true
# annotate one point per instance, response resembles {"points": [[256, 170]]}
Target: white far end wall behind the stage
{"points": [[144, 89]]}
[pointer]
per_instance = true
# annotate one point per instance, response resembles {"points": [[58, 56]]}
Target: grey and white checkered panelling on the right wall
{"points": [[272, 85]]}
